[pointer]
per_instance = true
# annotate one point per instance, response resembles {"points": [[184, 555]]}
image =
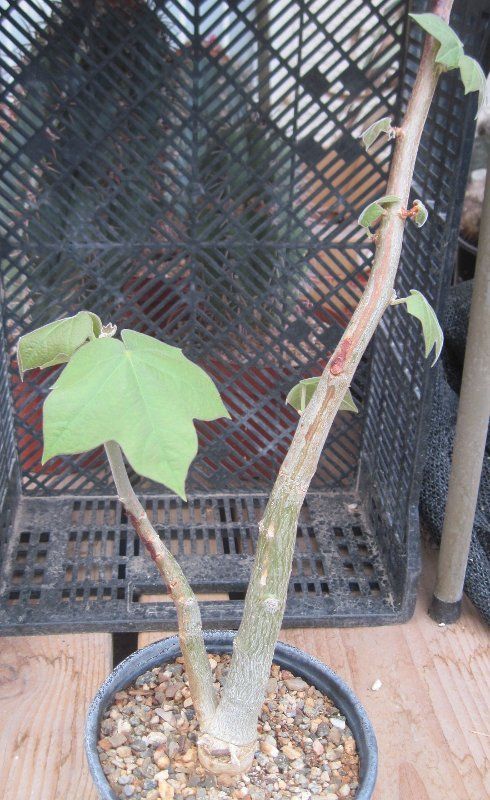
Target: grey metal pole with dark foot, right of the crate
{"points": [[470, 438]]}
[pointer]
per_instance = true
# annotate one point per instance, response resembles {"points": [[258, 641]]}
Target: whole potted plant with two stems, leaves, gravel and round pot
{"points": [[139, 398]]}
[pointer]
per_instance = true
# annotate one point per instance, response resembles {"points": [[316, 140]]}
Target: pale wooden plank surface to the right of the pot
{"points": [[432, 712]]}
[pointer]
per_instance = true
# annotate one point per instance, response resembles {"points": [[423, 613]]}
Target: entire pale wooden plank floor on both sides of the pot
{"points": [[431, 714]]}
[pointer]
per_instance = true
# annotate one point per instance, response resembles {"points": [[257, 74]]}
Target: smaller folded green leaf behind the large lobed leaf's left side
{"points": [[56, 342]]}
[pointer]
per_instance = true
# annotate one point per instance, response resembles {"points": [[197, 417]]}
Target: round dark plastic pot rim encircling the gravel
{"points": [[286, 656]]}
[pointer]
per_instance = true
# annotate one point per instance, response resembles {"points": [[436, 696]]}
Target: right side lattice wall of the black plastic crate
{"points": [[400, 378]]}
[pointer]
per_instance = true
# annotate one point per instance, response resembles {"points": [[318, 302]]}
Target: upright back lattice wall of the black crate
{"points": [[192, 170]]}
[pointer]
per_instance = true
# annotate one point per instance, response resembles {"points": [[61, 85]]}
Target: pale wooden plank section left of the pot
{"points": [[46, 685]]}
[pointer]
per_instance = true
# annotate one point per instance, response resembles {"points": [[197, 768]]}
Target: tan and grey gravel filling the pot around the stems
{"points": [[148, 737]]}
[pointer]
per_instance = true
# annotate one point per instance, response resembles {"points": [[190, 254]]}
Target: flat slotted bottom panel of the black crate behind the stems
{"points": [[88, 570]]}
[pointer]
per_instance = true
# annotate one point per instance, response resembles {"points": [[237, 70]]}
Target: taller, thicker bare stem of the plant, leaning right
{"points": [[235, 720]]}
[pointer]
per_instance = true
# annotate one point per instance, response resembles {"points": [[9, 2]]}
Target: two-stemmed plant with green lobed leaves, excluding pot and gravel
{"points": [[139, 397]]}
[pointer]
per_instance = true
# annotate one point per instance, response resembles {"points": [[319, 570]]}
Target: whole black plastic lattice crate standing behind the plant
{"points": [[193, 170]]}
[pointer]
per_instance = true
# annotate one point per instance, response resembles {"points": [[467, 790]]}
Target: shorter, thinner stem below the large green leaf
{"points": [[188, 615]]}
